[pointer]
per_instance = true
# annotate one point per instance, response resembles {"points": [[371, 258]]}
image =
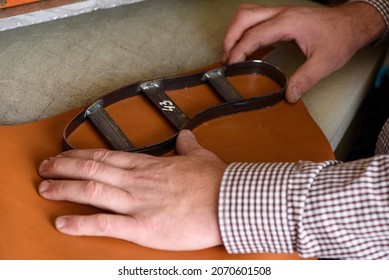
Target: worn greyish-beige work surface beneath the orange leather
{"points": [[49, 68]]}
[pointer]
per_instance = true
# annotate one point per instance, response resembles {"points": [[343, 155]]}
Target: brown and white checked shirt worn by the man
{"points": [[328, 210]]}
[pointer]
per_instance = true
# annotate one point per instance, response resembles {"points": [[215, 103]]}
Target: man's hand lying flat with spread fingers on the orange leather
{"points": [[160, 202]]}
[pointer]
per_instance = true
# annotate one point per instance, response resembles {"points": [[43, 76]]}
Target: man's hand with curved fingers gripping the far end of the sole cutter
{"points": [[327, 36]]}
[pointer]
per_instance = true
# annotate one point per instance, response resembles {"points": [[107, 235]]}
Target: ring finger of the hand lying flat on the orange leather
{"points": [[89, 192]]}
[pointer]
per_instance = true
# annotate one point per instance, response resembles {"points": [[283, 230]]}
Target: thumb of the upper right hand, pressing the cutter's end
{"points": [[305, 77]]}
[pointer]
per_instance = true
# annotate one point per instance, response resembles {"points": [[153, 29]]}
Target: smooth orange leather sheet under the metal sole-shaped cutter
{"points": [[283, 132]]}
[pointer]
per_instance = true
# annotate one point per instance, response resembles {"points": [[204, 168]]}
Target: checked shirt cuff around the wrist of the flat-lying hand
{"points": [[253, 215]]}
